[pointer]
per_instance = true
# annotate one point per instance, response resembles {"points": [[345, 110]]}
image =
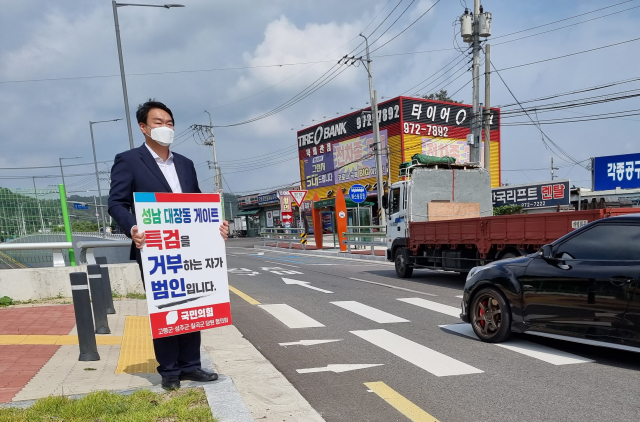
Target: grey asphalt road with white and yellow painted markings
{"points": [[418, 362]]}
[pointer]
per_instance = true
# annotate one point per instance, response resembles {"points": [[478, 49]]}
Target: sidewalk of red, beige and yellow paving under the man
{"points": [[39, 357]]}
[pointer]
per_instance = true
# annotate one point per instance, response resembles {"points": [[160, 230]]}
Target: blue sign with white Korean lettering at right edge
{"points": [[616, 171]]}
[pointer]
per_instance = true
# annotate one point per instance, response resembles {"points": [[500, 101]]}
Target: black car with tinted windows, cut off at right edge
{"points": [[583, 286]]}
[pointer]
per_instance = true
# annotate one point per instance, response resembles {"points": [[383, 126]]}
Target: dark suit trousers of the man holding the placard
{"points": [[177, 354]]}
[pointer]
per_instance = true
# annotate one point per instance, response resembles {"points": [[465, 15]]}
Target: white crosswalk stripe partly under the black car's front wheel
{"points": [[537, 351]]}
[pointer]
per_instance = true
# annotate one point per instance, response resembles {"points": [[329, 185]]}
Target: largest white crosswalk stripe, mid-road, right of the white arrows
{"points": [[431, 361]]}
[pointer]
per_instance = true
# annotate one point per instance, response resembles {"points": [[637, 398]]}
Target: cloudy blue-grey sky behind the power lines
{"points": [[59, 70]]}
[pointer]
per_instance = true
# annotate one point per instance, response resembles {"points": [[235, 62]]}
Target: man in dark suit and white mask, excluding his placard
{"points": [[153, 168]]}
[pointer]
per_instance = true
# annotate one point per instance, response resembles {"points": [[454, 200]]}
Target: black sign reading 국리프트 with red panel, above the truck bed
{"points": [[533, 195]]}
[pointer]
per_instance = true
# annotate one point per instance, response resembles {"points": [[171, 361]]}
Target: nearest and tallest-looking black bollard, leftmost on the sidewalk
{"points": [[84, 319]]}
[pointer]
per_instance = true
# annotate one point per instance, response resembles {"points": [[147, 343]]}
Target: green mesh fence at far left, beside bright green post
{"points": [[30, 216]]}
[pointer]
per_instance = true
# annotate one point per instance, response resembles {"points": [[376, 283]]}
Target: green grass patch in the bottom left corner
{"points": [[143, 405]]}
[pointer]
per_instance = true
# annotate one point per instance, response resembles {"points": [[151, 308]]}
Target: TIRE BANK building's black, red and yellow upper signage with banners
{"points": [[341, 152]]}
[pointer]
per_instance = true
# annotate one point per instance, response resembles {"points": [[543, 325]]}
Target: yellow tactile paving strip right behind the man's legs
{"points": [[136, 354]]}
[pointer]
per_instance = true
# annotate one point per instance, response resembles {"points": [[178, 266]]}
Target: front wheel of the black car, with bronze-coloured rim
{"points": [[490, 316]]}
